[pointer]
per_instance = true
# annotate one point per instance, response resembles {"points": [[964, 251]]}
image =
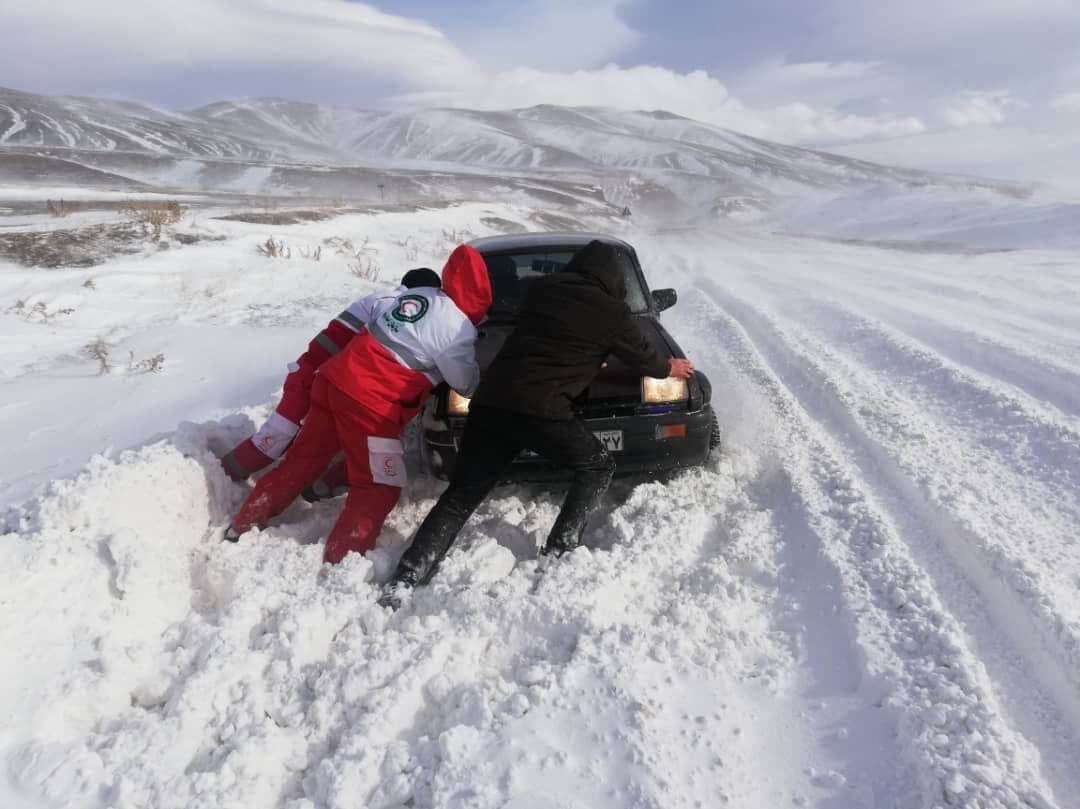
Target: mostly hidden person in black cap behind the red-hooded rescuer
{"points": [[260, 451]]}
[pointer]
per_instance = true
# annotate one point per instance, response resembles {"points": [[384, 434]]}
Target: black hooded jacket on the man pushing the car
{"points": [[570, 323]]}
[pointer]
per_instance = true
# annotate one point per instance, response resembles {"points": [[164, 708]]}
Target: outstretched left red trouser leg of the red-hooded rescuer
{"points": [[314, 449]]}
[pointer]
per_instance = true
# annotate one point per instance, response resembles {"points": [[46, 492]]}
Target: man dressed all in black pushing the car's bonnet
{"points": [[570, 323]]}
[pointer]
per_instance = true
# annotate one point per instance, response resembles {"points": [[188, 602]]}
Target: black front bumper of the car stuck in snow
{"points": [[643, 453]]}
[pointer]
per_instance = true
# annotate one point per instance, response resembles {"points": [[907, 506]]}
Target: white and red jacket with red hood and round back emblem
{"points": [[416, 340]]}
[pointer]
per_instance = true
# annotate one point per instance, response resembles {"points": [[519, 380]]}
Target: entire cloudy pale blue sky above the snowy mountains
{"points": [[977, 86]]}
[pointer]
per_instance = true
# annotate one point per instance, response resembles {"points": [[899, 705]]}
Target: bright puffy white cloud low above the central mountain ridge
{"points": [[696, 96]]}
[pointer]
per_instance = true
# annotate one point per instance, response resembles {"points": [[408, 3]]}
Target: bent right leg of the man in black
{"points": [[571, 444]]}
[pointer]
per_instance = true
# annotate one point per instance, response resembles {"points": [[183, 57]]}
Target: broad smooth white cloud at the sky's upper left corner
{"points": [[53, 38]]}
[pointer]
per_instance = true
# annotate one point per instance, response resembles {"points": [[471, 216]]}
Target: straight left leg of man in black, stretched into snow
{"points": [[488, 449]]}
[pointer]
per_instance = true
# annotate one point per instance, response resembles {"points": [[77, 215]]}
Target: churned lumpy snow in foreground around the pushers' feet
{"points": [[163, 668]]}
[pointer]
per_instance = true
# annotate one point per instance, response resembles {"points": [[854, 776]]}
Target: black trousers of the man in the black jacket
{"points": [[492, 441]]}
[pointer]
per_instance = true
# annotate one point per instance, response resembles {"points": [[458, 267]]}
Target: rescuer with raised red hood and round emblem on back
{"points": [[363, 397]]}
